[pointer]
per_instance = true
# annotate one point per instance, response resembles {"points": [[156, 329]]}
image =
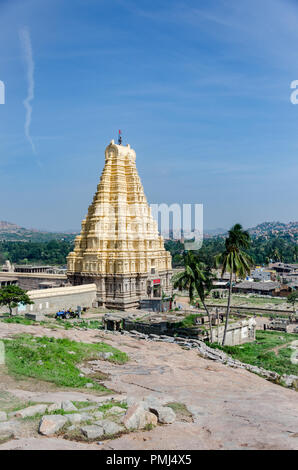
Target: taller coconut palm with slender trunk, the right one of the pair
{"points": [[235, 261]]}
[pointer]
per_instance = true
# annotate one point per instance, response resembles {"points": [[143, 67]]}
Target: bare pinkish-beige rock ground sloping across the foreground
{"points": [[232, 408]]}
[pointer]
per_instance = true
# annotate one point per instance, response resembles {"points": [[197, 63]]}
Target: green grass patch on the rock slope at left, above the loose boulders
{"points": [[49, 359]]}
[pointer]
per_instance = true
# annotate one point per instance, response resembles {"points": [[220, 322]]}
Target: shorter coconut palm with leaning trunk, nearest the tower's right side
{"points": [[197, 279]]}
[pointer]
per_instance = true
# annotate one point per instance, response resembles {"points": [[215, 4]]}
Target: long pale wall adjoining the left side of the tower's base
{"points": [[51, 300]]}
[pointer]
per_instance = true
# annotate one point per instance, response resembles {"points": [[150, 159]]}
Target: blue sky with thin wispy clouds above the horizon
{"points": [[200, 89]]}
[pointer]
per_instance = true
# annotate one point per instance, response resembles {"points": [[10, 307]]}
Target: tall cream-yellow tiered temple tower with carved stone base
{"points": [[119, 248]]}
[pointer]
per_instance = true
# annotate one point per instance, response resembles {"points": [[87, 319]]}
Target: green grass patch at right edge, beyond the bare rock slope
{"points": [[259, 352]]}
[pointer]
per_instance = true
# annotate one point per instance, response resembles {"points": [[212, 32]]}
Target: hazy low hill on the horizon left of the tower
{"points": [[12, 232]]}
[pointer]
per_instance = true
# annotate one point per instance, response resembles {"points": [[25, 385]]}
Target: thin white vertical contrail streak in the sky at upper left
{"points": [[28, 56]]}
